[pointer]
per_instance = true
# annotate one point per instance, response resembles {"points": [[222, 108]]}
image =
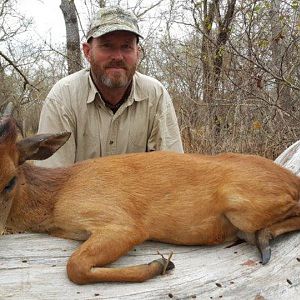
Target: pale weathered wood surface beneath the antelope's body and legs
{"points": [[32, 266]]}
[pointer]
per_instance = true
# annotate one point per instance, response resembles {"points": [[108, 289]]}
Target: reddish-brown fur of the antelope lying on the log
{"points": [[116, 202]]}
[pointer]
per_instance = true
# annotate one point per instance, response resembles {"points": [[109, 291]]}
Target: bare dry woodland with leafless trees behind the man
{"points": [[231, 67]]}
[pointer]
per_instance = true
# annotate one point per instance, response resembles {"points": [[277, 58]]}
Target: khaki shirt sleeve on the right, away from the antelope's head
{"points": [[165, 134]]}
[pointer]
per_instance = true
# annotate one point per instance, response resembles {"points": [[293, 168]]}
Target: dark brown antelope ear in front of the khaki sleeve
{"points": [[40, 146]]}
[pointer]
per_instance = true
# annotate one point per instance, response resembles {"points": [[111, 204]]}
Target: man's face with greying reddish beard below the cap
{"points": [[113, 58]]}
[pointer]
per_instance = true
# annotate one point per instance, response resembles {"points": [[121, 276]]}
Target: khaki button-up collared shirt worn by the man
{"points": [[146, 121]]}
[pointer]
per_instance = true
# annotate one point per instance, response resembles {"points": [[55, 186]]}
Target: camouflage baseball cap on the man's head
{"points": [[113, 18]]}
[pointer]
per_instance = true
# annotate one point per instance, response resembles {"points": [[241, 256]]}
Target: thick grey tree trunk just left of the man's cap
{"points": [[72, 34]]}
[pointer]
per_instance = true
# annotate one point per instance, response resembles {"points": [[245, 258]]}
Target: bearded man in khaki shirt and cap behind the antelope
{"points": [[110, 108]]}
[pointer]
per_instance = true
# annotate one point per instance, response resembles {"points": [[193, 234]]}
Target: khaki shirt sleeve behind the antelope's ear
{"points": [[55, 118]]}
